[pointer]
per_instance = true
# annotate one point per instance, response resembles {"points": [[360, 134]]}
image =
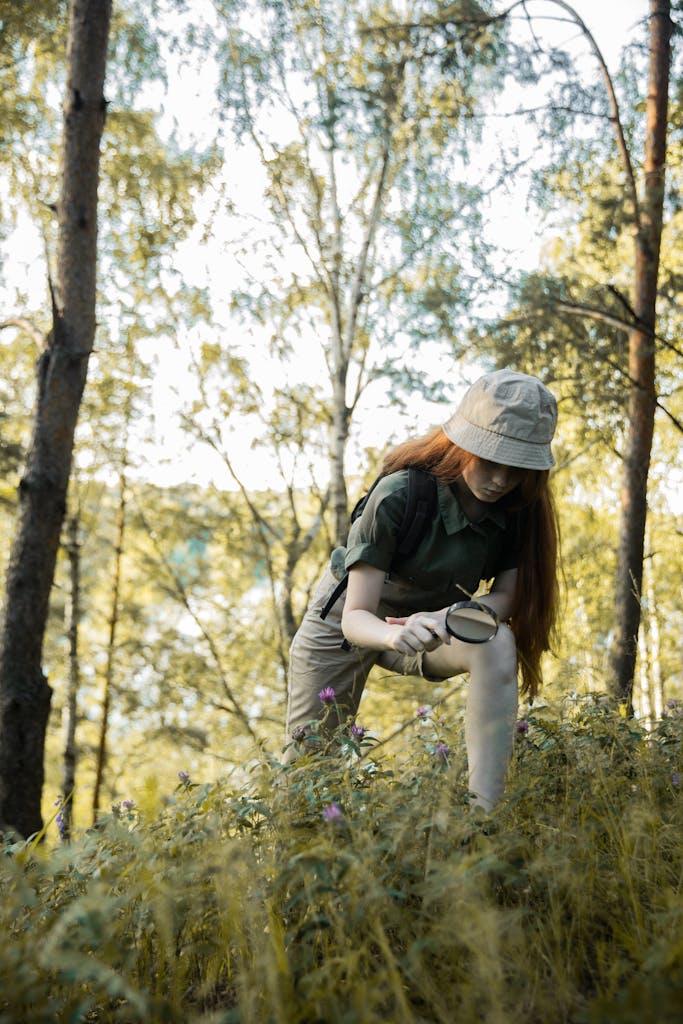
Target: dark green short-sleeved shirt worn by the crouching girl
{"points": [[453, 558]]}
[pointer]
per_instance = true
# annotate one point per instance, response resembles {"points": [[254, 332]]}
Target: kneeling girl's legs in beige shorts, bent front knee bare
{"points": [[318, 660]]}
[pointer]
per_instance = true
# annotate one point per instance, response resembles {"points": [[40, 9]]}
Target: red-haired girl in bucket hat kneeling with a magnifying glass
{"points": [[495, 523]]}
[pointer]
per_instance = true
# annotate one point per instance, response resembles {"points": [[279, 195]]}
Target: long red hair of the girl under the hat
{"points": [[535, 608]]}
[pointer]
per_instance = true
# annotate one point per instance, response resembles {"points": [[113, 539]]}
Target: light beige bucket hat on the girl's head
{"points": [[506, 417]]}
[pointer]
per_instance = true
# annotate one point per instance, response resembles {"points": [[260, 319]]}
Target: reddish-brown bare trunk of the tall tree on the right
{"points": [[642, 367]]}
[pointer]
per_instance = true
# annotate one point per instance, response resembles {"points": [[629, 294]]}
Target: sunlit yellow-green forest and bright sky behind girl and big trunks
{"points": [[306, 239]]}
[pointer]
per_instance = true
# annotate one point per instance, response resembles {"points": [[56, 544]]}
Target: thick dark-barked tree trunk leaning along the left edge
{"points": [[25, 695]]}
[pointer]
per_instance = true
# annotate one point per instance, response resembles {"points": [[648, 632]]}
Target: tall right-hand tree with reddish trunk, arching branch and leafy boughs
{"points": [[607, 313]]}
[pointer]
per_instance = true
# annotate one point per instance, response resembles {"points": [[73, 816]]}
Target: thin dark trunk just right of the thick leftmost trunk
{"points": [[71, 709]]}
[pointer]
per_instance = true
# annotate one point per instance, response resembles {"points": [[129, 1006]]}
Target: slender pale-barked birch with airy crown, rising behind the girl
{"points": [[369, 232]]}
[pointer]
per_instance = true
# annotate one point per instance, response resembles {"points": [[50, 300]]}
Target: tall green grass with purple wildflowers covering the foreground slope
{"points": [[351, 890]]}
